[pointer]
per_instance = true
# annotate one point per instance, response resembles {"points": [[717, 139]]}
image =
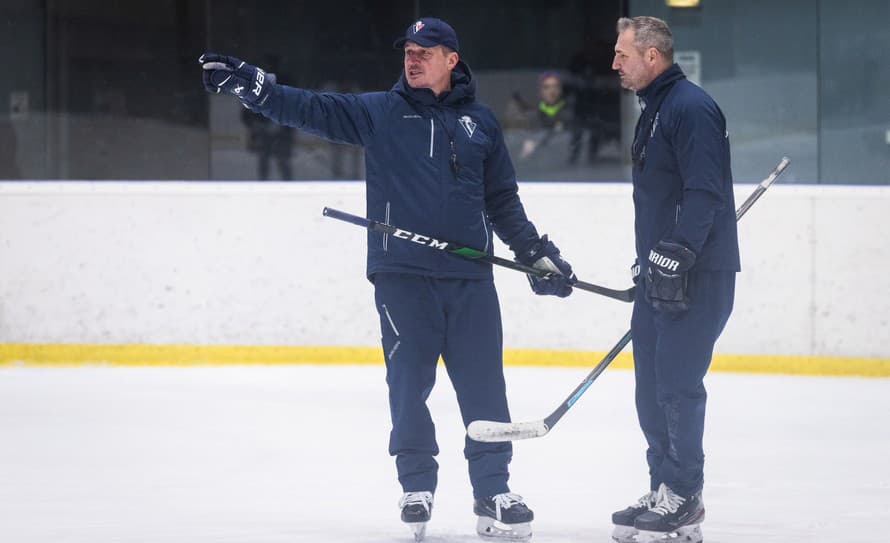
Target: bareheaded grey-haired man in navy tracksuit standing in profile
{"points": [[687, 256]]}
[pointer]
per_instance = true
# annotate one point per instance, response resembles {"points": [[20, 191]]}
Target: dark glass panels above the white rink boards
{"points": [[101, 90]]}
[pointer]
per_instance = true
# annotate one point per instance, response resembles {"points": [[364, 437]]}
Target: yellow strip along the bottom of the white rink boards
{"points": [[75, 354]]}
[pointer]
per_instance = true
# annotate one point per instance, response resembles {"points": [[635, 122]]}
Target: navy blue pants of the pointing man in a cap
{"points": [[422, 318]]}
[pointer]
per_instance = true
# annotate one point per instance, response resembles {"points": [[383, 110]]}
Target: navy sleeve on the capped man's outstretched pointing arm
{"points": [[340, 118]]}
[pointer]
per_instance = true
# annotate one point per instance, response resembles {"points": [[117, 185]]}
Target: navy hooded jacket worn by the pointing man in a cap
{"points": [[412, 181]]}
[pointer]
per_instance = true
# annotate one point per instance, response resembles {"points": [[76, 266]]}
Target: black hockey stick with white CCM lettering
{"points": [[467, 252]]}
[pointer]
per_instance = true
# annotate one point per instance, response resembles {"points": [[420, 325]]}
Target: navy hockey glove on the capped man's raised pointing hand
{"points": [[250, 84]]}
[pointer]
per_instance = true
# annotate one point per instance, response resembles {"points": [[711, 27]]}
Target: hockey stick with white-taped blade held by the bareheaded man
{"points": [[487, 430]]}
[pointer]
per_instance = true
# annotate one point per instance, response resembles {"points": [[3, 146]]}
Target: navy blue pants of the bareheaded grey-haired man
{"points": [[671, 357]]}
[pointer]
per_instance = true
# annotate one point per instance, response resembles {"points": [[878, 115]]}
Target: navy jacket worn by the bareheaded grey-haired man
{"points": [[681, 177]]}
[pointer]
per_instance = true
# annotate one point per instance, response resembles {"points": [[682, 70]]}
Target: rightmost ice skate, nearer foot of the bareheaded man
{"points": [[673, 518]]}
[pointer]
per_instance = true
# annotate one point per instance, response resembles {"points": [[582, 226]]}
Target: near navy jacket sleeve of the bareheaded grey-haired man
{"points": [[702, 154]]}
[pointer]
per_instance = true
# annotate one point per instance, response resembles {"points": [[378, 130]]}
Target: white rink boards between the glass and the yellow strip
{"points": [[256, 264]]}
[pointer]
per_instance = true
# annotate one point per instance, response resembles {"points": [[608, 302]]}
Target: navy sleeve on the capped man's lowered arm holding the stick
{"points": [[502, 199]]}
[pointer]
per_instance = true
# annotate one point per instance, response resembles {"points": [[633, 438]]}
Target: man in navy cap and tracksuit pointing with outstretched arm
{"points": [[436, 162]]}
